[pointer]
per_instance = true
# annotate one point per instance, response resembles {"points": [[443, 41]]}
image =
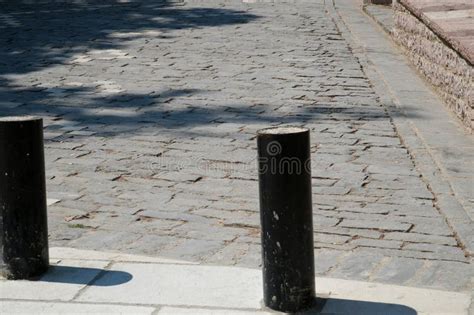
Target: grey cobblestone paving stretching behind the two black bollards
{"points": [[151, 110]]}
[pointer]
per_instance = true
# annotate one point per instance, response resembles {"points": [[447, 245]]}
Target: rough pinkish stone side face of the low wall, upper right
{"points": [[442, 66]]}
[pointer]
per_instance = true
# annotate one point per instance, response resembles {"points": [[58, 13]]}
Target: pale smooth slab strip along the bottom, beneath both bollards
{"points": [[98, 282]]}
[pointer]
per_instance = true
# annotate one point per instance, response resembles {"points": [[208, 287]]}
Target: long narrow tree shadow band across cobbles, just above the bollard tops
{"points": [[80, 110]]}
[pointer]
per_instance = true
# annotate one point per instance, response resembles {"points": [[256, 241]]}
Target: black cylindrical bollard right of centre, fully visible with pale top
{"points": [[286, 218]]}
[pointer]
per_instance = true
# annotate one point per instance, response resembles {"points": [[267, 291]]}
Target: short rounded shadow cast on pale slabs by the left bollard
{"points": [[85, 276]]}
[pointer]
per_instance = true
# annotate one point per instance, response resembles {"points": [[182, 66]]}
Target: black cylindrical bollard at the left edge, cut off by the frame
{"points": [[23, 221]]}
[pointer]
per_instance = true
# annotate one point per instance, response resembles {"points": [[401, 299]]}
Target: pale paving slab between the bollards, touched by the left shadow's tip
{"points": [[181, 285]]}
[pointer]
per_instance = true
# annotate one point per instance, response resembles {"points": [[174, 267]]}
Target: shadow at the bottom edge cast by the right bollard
{"points": [[342, 306]]}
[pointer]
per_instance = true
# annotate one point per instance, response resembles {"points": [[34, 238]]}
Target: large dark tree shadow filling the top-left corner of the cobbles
{"points": [[39, 34]]}
